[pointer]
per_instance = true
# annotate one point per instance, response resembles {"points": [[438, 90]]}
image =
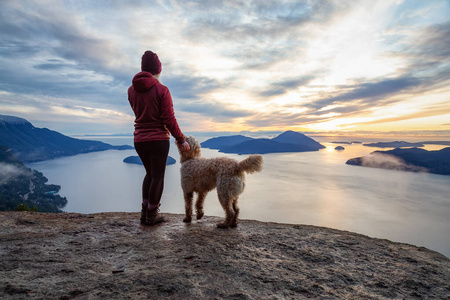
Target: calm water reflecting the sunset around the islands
{"points": [[315, 188]]}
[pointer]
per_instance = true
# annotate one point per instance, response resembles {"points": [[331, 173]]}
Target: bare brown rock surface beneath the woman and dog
{"points": [[111, 256]]}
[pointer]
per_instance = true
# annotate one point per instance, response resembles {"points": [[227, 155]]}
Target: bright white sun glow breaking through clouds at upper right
{"points": [[352, 48]]}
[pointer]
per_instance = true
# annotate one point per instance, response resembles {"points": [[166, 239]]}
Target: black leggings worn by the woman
{"points": [[154, 157]]}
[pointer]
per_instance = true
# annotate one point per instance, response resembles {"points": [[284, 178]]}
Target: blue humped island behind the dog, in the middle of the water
{"points": [[288, 141]]}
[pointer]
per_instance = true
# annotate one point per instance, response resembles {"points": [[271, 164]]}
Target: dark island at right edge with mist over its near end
{"points": [[411, 159]]}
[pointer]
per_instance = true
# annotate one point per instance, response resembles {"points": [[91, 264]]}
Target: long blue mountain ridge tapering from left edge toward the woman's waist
{"points": [[31, 144]]}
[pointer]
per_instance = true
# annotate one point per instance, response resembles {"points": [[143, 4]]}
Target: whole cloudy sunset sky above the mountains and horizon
{"points": [[315, 66]]}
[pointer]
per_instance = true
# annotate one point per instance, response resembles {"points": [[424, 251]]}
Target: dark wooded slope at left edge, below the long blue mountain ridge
{"points": [[21, 187]]}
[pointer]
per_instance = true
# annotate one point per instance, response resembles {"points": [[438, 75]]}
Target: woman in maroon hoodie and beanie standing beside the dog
{"points": [[155, 121]]}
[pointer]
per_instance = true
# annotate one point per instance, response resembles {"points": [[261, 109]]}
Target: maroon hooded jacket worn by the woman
{"points": [[153, 108]]}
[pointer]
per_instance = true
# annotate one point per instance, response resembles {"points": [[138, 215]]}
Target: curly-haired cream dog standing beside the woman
{"points": [[201, 175]]}
